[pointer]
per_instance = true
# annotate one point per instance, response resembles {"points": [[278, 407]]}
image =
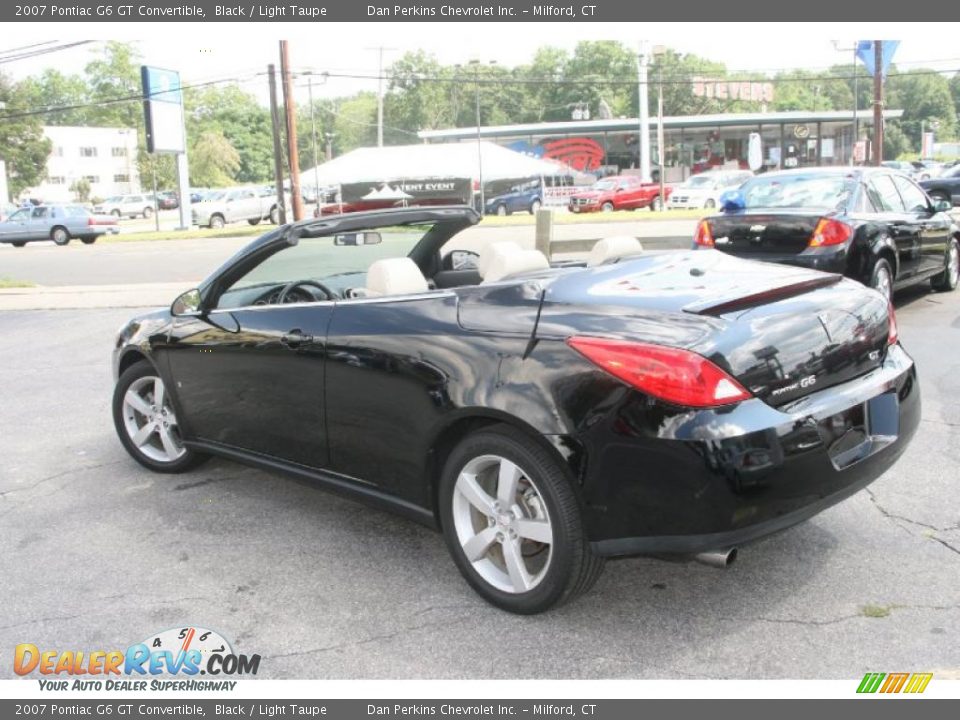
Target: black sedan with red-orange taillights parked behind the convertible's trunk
{"points": [[870, 224]]}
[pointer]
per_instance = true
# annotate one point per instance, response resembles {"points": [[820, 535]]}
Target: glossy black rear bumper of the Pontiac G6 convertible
{"points": [[713, 479]]}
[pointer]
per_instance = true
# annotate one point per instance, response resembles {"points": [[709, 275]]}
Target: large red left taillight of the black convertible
{"points": [[677, 376]]}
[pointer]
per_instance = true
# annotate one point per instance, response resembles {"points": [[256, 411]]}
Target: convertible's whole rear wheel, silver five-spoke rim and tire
{"points": [[513, 523]]}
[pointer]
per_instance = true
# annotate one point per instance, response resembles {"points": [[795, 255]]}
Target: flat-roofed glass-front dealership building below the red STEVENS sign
{"points": [[692, 143]]}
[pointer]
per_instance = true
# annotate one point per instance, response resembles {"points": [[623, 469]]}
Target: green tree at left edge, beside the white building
{"points": [[23, 147]]}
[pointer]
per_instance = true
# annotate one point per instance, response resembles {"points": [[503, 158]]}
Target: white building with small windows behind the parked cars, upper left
{"points": [[106, 157]]}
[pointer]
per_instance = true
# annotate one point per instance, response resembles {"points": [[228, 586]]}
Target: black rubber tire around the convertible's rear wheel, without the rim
{"points": [[572, 568]]}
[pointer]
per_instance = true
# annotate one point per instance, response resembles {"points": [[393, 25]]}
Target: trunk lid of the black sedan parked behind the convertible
{"points": [[760, 233]]}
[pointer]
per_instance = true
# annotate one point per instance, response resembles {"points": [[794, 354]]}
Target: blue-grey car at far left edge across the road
{"points": [[59, 223]]}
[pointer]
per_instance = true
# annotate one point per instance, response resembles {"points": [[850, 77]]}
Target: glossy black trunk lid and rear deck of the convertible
{"points": [[783, 332]]}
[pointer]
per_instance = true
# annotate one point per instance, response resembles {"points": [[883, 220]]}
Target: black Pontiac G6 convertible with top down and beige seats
{"points": [[543, 418]]}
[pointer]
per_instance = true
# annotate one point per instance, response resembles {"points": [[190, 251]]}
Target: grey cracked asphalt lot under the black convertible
{"points": [[99, 553]]}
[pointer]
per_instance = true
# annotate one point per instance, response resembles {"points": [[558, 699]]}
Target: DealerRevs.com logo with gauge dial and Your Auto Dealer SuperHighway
{"points": [[170, 660]]}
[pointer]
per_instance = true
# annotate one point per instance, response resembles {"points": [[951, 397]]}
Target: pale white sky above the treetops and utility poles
{"points": [[200, 52]]}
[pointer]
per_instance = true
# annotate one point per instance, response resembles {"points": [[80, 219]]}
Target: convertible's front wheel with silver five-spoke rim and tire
{"points": [[147, 423]]}
